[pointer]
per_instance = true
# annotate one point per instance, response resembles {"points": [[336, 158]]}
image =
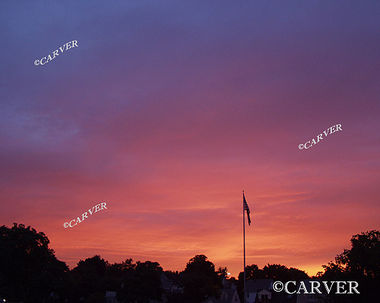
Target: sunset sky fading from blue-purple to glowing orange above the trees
{"points": [[167, 110]]}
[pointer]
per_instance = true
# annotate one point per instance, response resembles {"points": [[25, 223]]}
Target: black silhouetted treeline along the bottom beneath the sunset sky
{"points": [[30, 273]]}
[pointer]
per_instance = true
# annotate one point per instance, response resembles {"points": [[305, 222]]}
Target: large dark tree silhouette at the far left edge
{"points": [[29, 270]]}
